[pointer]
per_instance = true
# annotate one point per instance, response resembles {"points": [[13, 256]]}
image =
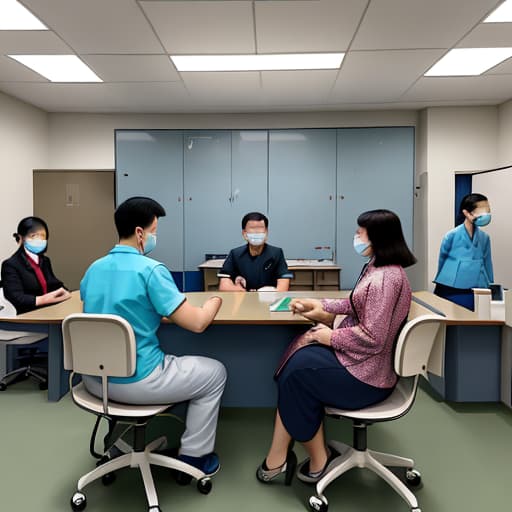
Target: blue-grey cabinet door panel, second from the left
{"points": [[207, 182]]}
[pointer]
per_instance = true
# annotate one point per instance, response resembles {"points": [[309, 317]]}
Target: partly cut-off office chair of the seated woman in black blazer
{"points": [[10, 338]]}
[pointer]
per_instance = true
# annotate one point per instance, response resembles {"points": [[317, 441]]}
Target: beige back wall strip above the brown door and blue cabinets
{"points": [[86, 141]]}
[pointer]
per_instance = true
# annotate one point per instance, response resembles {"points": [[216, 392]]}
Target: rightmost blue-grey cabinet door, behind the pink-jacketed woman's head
{"points": [[375, 170]]}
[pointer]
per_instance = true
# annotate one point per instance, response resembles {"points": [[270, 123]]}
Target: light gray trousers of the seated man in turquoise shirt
{"points": [[196, 379]]}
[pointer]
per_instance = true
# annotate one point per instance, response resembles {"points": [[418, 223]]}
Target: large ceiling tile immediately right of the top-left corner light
{"points": [[98, 26]]}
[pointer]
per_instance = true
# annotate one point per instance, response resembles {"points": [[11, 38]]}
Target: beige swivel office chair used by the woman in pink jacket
{"points": [[412, 354]]}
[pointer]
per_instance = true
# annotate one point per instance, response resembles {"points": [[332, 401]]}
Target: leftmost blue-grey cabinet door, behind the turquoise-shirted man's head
{"points": [[150, 163]]}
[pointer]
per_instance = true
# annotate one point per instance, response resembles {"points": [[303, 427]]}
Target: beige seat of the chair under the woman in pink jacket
{"points": [[397, 404]]}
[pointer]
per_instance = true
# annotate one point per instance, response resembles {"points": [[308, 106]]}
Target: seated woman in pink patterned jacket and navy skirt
{"points": [[349, 365]]}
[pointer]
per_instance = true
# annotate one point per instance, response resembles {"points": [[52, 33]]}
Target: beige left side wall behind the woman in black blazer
{"points": [[23, 147]]}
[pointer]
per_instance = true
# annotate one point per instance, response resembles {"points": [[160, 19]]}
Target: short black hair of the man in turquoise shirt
{"points": [[136, 212]]}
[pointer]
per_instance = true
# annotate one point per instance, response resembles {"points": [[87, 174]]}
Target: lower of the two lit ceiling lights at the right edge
{"points": [[468, 61]]}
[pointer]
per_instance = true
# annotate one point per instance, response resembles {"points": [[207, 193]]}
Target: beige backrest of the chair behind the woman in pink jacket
{"points": [[415, 344]]}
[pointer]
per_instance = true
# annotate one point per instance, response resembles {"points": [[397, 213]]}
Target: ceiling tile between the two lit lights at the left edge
{"points": [[31, 41]]}
